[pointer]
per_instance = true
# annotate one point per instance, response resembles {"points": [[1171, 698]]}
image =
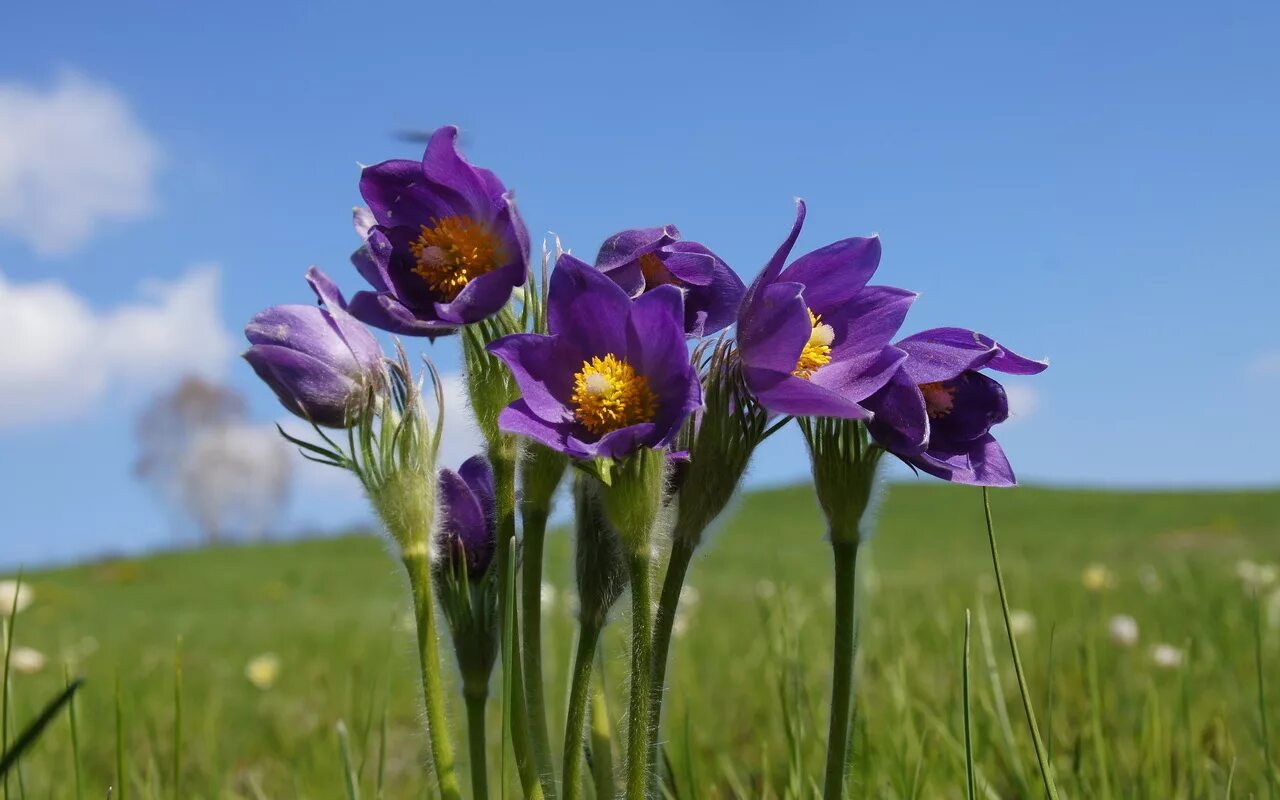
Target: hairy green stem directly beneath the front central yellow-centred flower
{"points": [[642, 670]]}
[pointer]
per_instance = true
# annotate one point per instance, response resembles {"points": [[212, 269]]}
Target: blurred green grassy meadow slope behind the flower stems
{"points": [[747, 706]]}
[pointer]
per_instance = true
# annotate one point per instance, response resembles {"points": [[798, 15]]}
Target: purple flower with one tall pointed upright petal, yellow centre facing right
{"points": [[815, 339]]}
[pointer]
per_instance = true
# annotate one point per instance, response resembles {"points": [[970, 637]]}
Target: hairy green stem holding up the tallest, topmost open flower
{"points": [[502, 456]]}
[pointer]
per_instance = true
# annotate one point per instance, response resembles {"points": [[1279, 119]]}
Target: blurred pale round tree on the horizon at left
{"points": [[209, 465]]}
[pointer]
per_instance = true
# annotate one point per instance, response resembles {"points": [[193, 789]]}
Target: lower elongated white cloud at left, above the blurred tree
{"points": [[62, 356]]}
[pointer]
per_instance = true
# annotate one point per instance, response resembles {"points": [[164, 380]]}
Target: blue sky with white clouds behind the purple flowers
{"points": [[1096, 184]]}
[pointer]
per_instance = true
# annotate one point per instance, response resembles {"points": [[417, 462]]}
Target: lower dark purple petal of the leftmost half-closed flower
{"points": [[305, 386]]}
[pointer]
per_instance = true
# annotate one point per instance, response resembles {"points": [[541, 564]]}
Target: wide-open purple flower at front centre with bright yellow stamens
{"points": [[612, 377]]}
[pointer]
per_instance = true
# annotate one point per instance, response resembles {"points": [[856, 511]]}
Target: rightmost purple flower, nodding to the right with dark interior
{"points": [[938, 412]]}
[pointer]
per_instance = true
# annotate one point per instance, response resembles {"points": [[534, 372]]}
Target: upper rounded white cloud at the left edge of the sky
{"points": [[72, 158]]}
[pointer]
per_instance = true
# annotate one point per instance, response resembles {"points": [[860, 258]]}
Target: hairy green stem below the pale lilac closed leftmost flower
{"points": [[429, 662]]}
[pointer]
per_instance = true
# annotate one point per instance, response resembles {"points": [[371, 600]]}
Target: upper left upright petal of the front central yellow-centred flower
{"points": [[588, 309]]}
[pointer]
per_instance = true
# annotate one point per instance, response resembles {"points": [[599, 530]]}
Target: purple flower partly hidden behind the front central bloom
{"points": [[643, 259]]}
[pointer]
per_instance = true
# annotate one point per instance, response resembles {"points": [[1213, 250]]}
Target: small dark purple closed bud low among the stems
{"points": [[469, 522]]}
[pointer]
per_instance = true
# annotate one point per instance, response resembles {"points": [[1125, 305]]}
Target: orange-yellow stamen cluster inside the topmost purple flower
{"points": [[452, 253]]}
